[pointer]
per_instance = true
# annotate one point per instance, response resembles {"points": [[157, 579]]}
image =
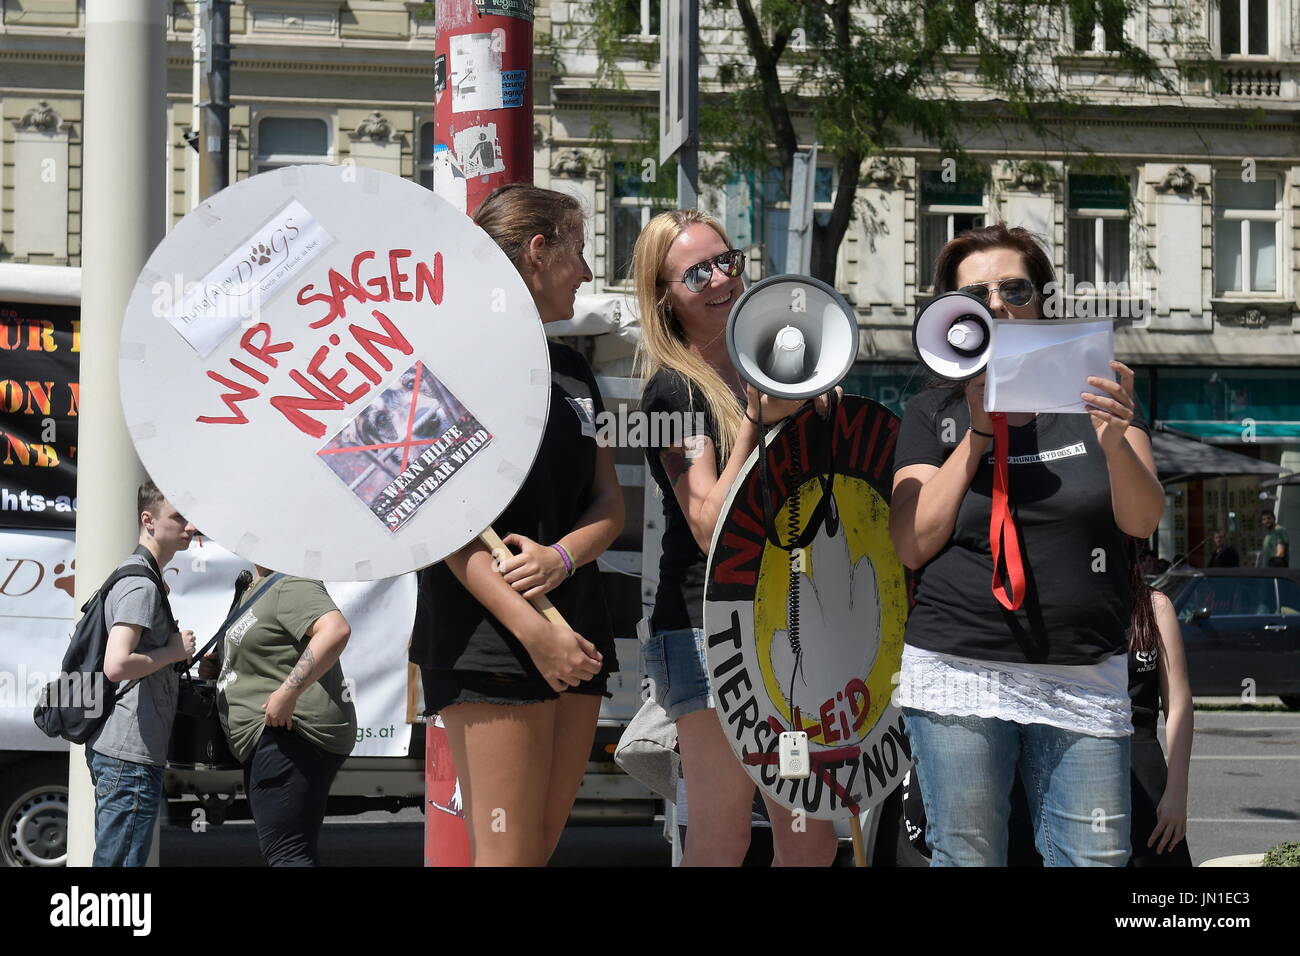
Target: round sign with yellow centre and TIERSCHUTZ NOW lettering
{"points": [[811, 639]]}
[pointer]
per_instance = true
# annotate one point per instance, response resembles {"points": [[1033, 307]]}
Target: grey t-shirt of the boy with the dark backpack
{"points": [[141, 724]]}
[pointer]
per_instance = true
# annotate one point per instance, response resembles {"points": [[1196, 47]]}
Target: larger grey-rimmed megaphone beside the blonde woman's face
{"points": [[792, 336]]}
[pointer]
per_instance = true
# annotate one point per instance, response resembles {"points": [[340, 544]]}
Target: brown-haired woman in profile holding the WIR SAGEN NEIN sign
{"points": [[519, 697]]}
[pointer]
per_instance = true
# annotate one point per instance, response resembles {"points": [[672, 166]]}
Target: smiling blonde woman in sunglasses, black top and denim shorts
{"points": [[687, 279]]}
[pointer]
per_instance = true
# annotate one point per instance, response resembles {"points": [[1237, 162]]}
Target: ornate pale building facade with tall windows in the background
{"points": [[1191, 241]]}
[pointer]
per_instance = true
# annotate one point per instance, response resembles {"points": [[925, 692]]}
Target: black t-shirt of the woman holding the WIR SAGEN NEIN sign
{"points": [[453, 631]]}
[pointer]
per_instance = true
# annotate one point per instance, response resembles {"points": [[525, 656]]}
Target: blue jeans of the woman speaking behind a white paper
{"points": [[1077, 788]]}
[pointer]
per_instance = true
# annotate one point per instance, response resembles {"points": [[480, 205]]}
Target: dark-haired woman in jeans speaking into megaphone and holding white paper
{"points": [[993, 681]]}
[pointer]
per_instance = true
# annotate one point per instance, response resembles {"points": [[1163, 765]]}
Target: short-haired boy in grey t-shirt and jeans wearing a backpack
{"points": [[128, 754]]}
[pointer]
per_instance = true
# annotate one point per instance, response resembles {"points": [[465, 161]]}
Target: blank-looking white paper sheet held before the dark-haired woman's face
{"points": [[1042, 366]]}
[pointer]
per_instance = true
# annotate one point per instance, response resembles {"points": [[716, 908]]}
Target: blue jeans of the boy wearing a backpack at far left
{"points": [[127, 804]]}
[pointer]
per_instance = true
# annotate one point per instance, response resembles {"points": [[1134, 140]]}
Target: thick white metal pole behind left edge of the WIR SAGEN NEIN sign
{"points": [[123, 207]]}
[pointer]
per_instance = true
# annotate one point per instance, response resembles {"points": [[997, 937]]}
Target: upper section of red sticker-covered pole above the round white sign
{"points": [[483, 98]]}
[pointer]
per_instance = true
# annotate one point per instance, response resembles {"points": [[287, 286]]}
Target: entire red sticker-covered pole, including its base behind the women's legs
{"points": [[483, 133]]}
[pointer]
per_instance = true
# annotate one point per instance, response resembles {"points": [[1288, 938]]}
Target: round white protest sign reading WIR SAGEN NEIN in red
{"points": [[335, 374]]}
